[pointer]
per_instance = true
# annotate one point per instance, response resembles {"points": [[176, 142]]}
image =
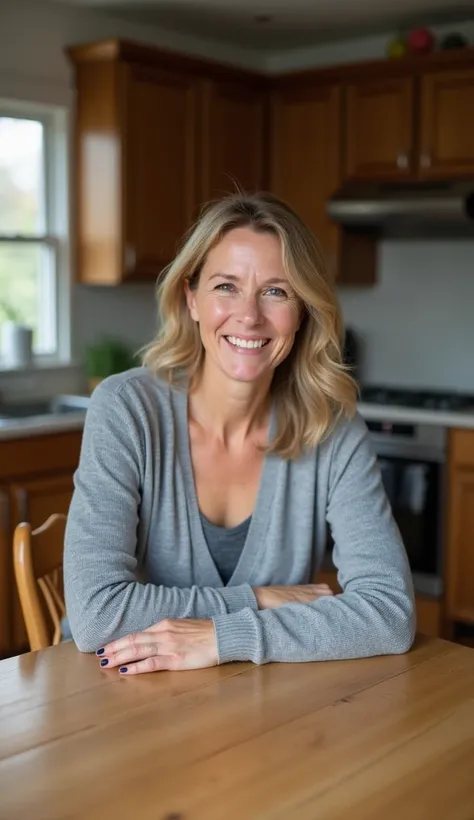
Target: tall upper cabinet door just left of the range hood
{"points": [[306, 156]]}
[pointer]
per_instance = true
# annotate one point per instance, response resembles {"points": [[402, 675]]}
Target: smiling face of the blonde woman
{"points": [[248, 314]]}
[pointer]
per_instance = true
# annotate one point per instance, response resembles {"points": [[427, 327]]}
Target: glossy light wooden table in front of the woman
{"points": [[380, 738]]}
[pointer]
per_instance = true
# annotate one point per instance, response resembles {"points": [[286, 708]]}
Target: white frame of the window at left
{"points": [[55, 237]]}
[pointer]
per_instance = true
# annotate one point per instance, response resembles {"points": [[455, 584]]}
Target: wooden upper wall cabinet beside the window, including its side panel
{"points": [[155, 137]]}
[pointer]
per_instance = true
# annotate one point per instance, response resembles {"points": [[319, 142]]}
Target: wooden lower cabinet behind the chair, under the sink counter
{"points": [[36, 480]]}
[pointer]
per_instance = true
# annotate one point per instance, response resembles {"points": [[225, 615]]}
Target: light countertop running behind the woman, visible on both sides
{"points": [[38, 425]]}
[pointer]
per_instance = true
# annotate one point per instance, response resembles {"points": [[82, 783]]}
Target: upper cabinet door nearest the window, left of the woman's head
{"points": [[159, 174]]}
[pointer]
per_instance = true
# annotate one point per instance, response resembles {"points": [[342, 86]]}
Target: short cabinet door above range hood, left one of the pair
{"points": [[379, 129]]}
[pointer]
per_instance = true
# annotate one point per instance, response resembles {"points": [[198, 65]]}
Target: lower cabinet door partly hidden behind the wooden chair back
{"points": [[34, 501]]}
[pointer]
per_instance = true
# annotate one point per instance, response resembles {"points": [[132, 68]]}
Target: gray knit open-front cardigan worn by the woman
{"points": [[135, 550]]}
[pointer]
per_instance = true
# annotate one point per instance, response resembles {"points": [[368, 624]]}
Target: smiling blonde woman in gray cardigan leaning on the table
{"points": [[207, 477]]}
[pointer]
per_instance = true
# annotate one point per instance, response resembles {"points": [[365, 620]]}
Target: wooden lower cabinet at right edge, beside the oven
{"points": [[460, 560]]}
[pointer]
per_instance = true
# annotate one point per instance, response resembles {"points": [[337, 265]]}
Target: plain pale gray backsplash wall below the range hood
{"points": [[417, 324]]}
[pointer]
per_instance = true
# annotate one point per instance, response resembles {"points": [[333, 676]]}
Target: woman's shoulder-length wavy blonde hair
{"points": [[311, 388]]}
